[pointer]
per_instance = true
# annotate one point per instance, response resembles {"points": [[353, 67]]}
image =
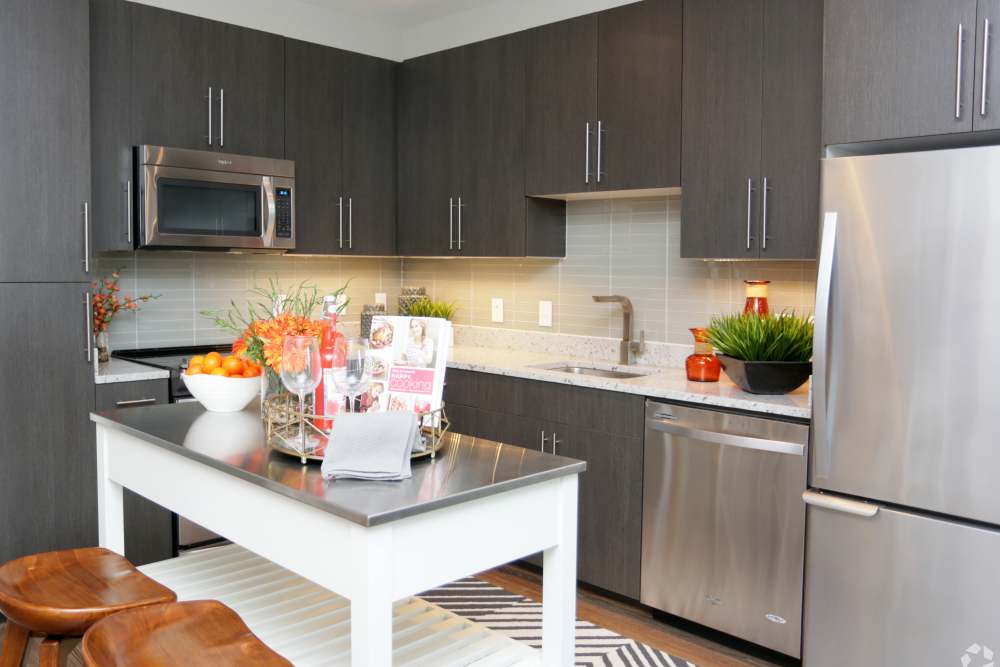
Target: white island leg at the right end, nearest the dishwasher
{"points": [[559, 583]]}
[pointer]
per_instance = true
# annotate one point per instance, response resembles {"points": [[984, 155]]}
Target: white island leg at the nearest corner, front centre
{"points": [[371, 603]]}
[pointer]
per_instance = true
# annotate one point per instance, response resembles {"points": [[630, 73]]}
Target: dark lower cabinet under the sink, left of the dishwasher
{"points": [[602, 428]]}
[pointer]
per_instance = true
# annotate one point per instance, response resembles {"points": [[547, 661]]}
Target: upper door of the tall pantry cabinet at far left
{"points": [[45, 122]]}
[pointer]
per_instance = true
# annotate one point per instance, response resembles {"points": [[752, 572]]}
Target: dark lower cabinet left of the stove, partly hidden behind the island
{"points": [[149, 528]]}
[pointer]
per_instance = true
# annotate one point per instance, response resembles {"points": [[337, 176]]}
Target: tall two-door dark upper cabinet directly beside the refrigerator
{"points": [[751, 150]]}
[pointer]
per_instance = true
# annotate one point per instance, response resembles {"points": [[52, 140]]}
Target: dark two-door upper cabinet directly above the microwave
{"points": [[206, 85]]}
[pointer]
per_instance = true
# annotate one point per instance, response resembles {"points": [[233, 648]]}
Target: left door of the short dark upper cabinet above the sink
{"points": [[561, 100]]}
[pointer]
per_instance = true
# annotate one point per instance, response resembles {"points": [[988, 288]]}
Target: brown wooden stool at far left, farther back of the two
{"points": [[63, 593]]}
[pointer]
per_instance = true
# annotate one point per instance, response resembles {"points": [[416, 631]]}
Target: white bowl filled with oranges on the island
{"points": [[222, 384]]}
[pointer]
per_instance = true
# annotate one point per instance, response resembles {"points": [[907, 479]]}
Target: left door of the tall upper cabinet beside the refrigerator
{"points": [[722, 122]]}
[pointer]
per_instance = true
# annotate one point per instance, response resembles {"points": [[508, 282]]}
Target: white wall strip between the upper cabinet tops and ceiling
{"points": [[313, 23]]}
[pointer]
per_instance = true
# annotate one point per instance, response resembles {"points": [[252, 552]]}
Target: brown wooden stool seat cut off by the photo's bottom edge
{"points": [[203, 632]]}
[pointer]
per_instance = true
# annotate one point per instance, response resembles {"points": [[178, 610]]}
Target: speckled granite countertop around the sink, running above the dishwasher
{"points": [[666, 383]]}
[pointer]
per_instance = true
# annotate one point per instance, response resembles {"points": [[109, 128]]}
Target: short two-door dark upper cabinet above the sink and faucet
{"points": [[604, 101]]}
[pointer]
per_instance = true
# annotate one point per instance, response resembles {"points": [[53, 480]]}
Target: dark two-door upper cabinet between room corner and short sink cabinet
{"points": [[461, 157]]}
